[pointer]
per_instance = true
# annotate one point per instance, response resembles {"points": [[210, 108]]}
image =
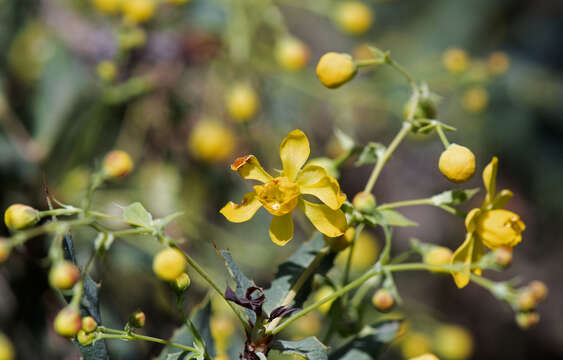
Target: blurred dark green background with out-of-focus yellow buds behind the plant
{"points": [[187, 86]]}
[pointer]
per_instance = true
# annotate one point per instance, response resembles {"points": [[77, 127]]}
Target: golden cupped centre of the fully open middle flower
{"points": [[279, 196]]}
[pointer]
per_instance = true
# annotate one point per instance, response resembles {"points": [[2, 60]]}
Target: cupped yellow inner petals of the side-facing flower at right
{"points": [[500, 228]]}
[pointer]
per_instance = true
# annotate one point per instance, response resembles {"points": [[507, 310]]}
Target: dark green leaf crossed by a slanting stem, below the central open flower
{"points": [[290, 270]]}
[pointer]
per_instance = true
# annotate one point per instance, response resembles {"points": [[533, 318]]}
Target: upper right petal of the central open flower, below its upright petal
{"points": [[314, 180]]}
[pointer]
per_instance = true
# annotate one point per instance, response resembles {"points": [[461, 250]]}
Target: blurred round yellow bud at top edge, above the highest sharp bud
{"points": [[354, 17]]}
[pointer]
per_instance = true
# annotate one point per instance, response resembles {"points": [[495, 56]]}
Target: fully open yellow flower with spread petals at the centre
{"points": [[282, 194]]}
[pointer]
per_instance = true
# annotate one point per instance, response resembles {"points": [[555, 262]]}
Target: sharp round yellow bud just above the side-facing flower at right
{"points": [[457, 163]]}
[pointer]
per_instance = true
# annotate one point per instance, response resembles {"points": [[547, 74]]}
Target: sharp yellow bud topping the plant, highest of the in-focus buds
{"points": [[335, 69]]}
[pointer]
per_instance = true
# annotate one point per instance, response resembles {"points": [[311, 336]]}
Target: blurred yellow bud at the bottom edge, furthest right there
{"points": [[453, 342]]}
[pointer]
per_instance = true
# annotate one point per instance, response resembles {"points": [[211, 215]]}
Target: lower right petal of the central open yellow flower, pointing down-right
{"points": [[330, 222]]}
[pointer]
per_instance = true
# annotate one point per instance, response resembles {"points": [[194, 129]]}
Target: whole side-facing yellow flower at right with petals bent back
{"points": [[490, 225]]}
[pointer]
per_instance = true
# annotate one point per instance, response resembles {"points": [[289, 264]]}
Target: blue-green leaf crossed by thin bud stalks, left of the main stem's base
{"points": [[200, 318]]}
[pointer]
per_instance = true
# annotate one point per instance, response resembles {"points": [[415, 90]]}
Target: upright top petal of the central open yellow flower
{"points": [[294, 152]]}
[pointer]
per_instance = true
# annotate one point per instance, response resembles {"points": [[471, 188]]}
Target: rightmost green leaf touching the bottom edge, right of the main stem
{"points": [[369, 343]]}
